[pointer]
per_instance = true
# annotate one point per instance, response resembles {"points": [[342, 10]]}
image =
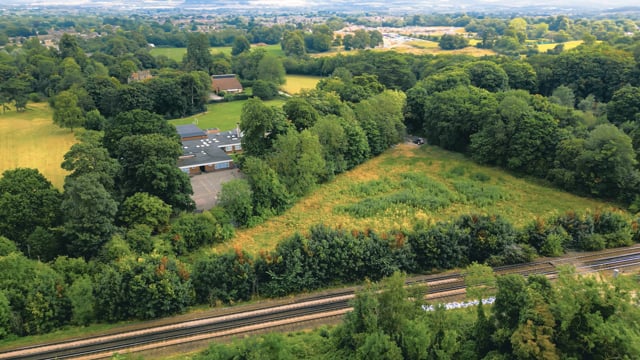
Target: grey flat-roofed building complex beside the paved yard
{"points": [[207, 151]]}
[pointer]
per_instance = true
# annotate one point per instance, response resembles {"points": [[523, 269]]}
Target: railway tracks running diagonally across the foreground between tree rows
{"points": [[313, 307]]}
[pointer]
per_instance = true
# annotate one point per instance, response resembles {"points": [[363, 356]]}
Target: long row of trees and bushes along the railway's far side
{"points": [[136, 276]]}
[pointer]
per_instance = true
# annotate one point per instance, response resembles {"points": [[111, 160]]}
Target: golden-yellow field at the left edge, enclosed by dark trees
{"points": [[30, 139]]}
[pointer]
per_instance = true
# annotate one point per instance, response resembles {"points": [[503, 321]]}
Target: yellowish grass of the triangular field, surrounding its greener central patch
{"points": [[527, 199]]}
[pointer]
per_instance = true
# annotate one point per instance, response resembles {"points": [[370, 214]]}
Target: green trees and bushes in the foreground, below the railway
{"points": [[531, 318]]}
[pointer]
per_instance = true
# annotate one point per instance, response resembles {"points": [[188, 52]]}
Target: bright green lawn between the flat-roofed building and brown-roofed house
{"points": [[223, 115]]}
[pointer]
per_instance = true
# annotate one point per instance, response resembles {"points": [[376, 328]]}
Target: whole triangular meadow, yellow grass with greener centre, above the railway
{"points": [[408, 184]]}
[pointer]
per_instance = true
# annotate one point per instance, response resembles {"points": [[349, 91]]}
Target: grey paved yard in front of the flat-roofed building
{"points": [[206, 187]]}
